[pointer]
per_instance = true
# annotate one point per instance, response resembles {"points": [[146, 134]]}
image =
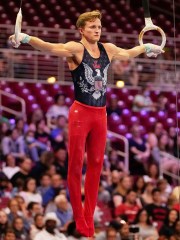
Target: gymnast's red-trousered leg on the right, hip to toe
{"points": [[96, 142]]}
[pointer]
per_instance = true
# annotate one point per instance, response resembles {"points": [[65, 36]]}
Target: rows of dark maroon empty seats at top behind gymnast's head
{"points": [[117, 16]]}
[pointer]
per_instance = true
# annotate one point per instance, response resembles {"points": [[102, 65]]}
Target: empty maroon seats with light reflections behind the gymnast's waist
{"points": [[42, 95]]}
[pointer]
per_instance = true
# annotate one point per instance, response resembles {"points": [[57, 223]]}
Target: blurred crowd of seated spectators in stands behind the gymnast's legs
{"points": [[34, 199]]}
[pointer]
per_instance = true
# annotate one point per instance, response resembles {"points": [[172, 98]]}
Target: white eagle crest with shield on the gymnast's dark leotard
{"points": [[97, 82]]}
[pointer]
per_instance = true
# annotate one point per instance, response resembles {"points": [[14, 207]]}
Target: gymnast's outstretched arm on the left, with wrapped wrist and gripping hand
{"points": [[58, 49]]}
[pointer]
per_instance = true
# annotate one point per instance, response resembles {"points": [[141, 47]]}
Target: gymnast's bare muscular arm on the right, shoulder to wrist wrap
{"points": [[122, 54]]}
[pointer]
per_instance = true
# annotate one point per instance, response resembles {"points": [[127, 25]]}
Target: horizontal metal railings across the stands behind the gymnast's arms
{"points": [[27, 64]]}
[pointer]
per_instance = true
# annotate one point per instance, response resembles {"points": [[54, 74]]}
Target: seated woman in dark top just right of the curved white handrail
{"points": [[139, 152]]}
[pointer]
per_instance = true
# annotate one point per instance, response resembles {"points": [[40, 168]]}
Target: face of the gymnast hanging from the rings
{"points": [[92, 30]]}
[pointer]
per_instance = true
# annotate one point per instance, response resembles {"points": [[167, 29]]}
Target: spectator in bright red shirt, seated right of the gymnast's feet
{"points": [[129, 208]]}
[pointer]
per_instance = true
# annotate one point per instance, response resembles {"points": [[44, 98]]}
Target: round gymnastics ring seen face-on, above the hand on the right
{"points": [[150, 26]]}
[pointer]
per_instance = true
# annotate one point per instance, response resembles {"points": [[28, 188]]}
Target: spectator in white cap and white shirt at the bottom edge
{"points": [[50, 231]]}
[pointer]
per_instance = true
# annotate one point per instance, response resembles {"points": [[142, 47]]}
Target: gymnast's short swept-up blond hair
{"points": [[87, 16]]}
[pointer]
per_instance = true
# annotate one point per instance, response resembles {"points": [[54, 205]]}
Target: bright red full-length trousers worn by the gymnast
{"points": [[87, 130]]}
